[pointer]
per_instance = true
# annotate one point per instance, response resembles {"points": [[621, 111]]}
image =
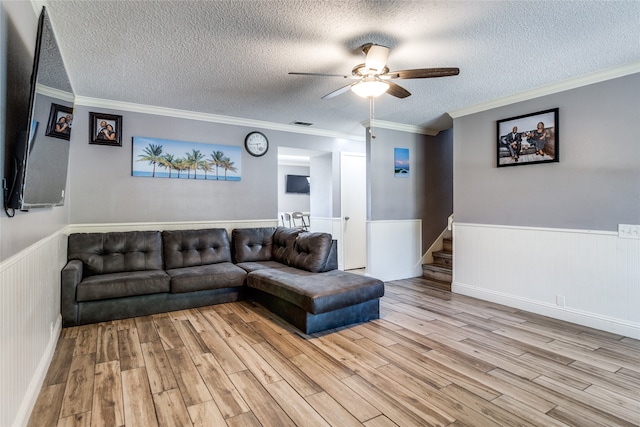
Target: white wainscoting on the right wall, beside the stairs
{"points": [[587, 277]]}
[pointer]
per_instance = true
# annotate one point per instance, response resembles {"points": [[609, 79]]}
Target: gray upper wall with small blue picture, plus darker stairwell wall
{"points": [[426, 194]]}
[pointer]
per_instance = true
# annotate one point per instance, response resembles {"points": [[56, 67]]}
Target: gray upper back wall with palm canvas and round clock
{"points": [[103, 190]]}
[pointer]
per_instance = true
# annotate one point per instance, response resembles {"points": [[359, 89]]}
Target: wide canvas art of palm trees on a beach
{"points": [[166, 158]]}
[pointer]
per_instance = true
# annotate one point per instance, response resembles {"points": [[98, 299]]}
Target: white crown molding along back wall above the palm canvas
{"points": [[206, 117]]}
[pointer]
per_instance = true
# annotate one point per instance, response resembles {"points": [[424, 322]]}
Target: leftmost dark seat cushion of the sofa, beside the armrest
{"points": [[117, 285]]}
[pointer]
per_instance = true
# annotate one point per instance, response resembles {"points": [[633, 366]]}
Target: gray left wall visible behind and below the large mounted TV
{"points": [[17, 41]]}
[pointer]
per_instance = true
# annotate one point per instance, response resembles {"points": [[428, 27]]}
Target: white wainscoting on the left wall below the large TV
{"points": [[31, 323]]}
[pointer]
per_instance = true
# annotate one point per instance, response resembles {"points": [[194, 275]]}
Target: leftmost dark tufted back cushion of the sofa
{"points": [[116, 252]]}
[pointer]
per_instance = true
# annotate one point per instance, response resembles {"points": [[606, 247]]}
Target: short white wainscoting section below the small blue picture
{"points": [[395, 249]]}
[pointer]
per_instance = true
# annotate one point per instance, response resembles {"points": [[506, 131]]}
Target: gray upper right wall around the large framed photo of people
{"points": [[596, 184]]}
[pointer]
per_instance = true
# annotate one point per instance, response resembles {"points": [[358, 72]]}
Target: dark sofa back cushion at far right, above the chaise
{"points": [[311, 251]]}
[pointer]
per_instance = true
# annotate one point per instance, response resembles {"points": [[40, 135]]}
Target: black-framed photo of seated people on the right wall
{"points": [[528, 139]]}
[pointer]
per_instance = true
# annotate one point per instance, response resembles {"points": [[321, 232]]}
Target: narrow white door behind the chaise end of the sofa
{"points": [[353, 190]]}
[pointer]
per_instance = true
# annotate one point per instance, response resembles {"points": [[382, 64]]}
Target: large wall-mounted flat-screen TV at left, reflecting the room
{"points": [[40, 155]]}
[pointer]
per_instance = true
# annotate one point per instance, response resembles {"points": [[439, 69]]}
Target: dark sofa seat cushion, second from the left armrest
{"points": [[212, 276]]}
